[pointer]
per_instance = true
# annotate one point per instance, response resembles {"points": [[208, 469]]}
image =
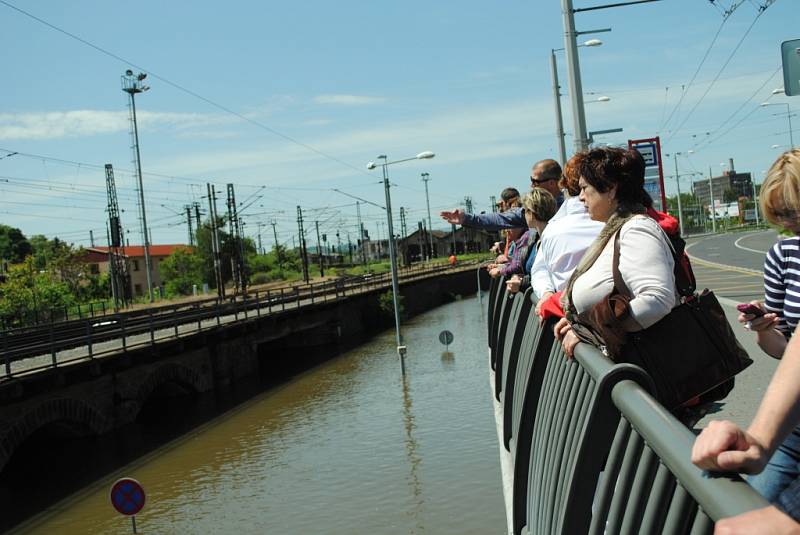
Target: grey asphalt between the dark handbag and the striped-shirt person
{"points": [[731, 265]]}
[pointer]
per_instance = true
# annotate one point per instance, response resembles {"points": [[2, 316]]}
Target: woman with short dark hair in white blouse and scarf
{"points": [[612, 189]]}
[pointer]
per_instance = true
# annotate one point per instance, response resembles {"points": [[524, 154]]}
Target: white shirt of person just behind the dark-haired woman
{"points": [[564, 242]]}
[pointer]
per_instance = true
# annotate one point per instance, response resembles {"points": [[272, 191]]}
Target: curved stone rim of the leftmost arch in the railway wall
{"points": [[75, 416]]}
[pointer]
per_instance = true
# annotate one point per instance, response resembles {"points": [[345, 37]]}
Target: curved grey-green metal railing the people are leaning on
{"points": [[592, 450]]}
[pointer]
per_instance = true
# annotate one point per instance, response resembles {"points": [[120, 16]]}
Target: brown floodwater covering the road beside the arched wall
{"points": [[348, 447]]}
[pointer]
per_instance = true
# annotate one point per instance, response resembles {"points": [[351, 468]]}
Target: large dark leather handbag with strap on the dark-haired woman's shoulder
{"points": [[689, 352]]}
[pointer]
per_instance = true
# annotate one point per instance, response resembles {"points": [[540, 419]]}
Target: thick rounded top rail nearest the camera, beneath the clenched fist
{"points": [[721, 496]]}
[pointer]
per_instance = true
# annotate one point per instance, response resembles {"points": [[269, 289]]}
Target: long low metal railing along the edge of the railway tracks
{"points": [[43, 347]]}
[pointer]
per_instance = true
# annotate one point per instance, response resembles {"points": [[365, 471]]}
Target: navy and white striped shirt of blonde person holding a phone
{"points": [[782, 283]]}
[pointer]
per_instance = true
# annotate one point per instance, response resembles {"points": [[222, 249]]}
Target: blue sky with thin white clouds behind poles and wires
{"points": [[348, 81]]}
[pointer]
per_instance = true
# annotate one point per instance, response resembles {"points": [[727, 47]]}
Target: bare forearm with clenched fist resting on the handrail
{"points": [[723, 446]]}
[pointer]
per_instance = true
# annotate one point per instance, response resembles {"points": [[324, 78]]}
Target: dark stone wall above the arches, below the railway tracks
{"points": [[95, 397]]}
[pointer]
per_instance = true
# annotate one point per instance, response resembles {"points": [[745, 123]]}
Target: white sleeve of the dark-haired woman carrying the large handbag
{"points": [[647, 267]]}
